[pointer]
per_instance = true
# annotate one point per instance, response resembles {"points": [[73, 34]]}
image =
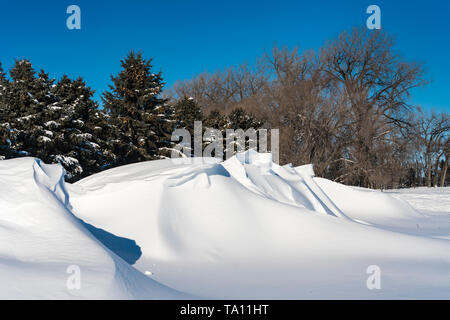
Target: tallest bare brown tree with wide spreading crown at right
{"points": [[375, 84]]}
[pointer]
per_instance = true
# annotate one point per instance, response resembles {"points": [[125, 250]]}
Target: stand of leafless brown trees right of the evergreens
{"points": [[344, 108]]}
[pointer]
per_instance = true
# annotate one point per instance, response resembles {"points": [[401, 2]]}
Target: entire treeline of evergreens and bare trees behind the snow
{"points": [[344, 108]]}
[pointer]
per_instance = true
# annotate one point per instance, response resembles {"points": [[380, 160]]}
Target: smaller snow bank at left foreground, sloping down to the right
{"points": [[41, 241]]}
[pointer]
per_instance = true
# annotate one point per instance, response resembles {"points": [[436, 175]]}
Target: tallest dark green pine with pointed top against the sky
{"points": [[144, 121]]}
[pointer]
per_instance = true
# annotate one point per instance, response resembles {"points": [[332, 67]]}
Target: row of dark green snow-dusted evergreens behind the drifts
{"points": [[59, 122]]}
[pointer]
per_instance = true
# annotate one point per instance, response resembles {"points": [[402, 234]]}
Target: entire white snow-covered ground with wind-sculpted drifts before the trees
{"points": [[241, 229]]}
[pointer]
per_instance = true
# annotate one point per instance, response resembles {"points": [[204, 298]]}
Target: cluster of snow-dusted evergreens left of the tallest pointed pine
{"points": [[54, 122]]}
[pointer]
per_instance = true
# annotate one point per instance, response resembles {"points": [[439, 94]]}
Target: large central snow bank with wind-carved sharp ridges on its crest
{"points": [[248, 228]]}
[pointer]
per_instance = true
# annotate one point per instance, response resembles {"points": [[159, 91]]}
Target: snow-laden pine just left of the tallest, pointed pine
{"points": [[70, 135]]}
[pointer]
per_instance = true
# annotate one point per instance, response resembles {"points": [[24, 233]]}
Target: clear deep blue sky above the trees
{"points": [[187, 37]]}
